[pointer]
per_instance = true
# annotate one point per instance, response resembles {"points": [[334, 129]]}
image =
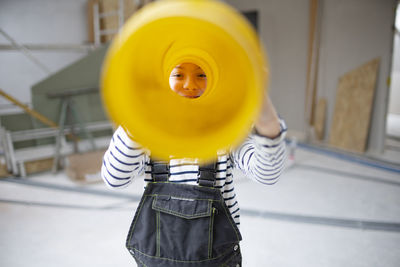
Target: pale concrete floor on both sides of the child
{"points": [[323, 212]]}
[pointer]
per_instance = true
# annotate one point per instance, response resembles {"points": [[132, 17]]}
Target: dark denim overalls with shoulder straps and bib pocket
{"points": [[183, 225]]}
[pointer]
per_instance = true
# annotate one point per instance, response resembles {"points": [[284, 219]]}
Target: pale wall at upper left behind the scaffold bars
{"points": [[38, 22]]}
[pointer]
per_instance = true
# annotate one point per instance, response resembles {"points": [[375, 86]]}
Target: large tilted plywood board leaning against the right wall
{"points": [[352, 114]]}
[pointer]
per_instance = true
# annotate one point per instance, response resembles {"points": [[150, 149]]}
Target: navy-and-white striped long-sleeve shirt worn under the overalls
{"points": [[260, 158]]}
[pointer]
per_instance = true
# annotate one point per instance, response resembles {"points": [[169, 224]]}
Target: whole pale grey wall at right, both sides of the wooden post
{"points": [[353, 33]]}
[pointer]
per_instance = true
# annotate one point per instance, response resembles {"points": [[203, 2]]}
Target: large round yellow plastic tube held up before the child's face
{"points": [[163, 34]]}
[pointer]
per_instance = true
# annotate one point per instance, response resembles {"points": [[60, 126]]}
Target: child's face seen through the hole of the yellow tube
{"points": [[188, 80]]}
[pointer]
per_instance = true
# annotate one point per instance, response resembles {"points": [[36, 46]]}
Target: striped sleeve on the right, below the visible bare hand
{"points": [[261, 158]]}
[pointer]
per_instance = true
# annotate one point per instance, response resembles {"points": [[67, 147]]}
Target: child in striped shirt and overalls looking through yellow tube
{"points": [[189, 215]]}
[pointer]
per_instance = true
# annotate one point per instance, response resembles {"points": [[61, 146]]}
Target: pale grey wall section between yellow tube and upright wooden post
{"points": [[283, 27]]}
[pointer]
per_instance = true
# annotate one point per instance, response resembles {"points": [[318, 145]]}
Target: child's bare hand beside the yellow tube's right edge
{"points": [[267, 123]]}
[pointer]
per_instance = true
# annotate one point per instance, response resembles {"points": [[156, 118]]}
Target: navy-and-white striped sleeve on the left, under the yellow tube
{"points": [[123, 160]]}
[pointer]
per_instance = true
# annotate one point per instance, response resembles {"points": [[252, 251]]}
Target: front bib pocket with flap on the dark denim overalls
{"points": [[184, 227]]}
